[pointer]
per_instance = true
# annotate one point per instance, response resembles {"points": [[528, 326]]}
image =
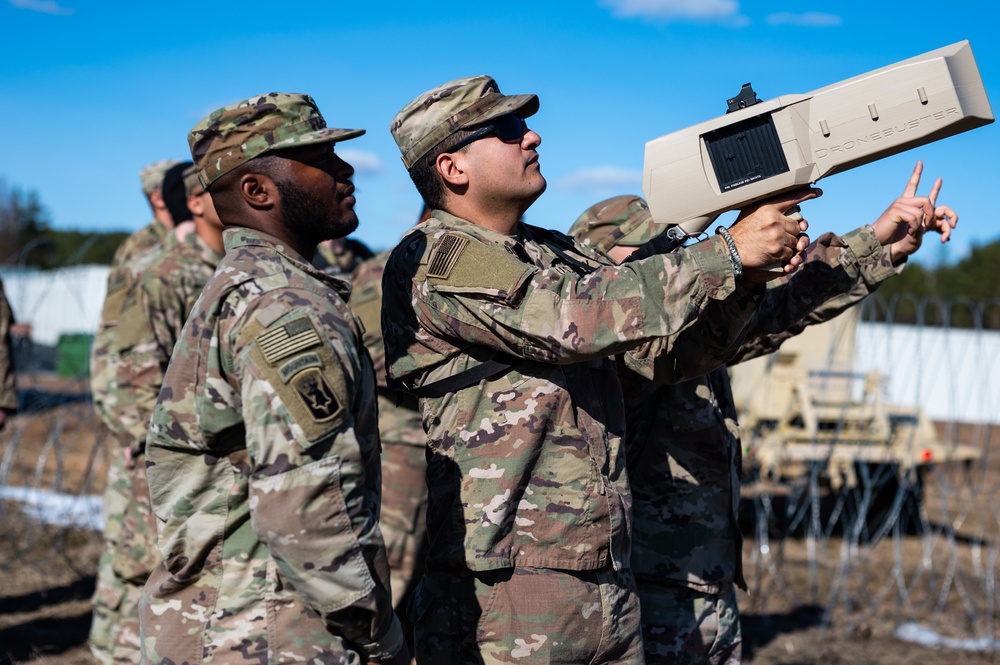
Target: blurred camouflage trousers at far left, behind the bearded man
{"points": [[129, 557]]}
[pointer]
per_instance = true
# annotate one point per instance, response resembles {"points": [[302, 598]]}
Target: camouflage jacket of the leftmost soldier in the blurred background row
{"points": [[131, 258]]}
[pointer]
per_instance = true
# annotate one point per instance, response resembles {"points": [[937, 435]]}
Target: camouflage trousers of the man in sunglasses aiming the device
{"points": [[526, 615]]}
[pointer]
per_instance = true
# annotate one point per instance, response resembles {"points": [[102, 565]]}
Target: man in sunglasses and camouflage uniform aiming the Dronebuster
{"points": [[506, 332]]}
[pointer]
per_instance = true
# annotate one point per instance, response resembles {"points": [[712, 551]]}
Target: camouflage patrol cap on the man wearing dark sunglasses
{"points": [[438, 113]]}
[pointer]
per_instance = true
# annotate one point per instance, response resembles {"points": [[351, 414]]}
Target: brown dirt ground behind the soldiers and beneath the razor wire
{"points": [[47, 574]]}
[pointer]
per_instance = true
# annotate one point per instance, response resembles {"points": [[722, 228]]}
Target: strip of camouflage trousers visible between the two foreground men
{"points": [[403, 518]]}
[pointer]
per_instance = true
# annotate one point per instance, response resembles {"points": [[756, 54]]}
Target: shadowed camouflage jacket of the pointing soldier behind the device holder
{"points": [[684, 454]]}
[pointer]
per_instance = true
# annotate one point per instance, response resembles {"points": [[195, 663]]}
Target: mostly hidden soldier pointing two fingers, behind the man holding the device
{"points": [[684, 453]]}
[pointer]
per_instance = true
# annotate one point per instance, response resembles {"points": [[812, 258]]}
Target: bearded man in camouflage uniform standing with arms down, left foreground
{"points": [[262, 456]]}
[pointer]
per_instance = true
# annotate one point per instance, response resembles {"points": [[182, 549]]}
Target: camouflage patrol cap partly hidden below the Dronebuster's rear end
{"points": [[620, 220]]}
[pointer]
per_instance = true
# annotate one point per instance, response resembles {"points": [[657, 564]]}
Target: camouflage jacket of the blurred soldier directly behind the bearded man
{"points": [[150, 321]]}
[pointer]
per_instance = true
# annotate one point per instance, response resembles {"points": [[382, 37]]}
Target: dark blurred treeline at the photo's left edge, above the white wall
{"points": [[28, 240]]}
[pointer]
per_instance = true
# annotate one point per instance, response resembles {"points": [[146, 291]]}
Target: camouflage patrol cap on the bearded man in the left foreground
{"points": [[237, 133]]}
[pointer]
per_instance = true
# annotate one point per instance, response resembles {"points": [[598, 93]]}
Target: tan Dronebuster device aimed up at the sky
{"points": [[760, 149]]}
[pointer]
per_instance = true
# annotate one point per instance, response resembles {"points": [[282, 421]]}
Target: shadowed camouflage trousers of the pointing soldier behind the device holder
{"points": [[681, 625]]}
